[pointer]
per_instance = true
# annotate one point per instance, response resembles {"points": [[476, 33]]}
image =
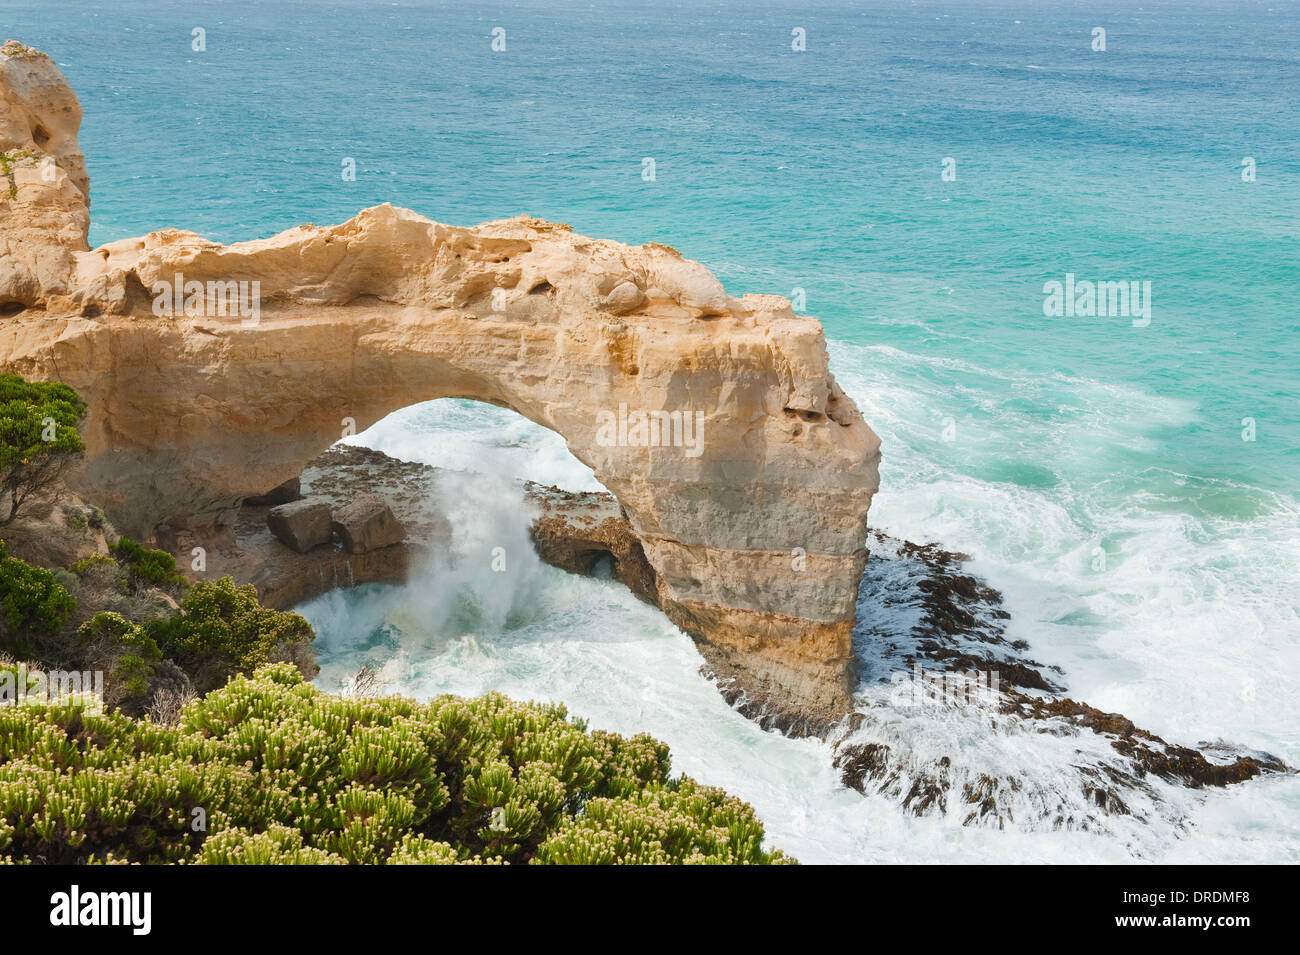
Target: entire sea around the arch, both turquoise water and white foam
{"points": [[1133, 489]]}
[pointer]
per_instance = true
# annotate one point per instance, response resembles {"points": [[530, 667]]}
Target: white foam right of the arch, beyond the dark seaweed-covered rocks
{"points": [[1191, 627]]}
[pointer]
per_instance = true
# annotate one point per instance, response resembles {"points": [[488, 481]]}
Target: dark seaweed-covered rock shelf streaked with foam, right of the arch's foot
{"points": [[937, 666]]}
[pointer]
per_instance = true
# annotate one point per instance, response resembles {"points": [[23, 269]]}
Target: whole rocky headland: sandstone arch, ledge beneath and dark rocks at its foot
{"points": [[740, 476]]}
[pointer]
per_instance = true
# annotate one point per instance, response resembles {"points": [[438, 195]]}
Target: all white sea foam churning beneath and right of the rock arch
{"points": [[1191, 630]]}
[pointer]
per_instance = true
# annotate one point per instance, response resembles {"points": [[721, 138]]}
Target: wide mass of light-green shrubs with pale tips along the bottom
{"points": [[284, 774]]}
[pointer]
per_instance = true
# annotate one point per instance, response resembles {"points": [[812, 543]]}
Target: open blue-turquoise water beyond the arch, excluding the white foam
{"points": [[778, 170]]}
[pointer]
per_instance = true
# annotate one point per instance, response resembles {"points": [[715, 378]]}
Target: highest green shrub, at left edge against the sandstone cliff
{"points": [[38, 439]]}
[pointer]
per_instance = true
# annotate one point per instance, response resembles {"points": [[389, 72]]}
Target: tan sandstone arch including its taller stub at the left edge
{"points": [[216, 372]]}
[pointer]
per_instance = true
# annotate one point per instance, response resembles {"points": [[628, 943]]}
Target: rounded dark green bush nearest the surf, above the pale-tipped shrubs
{"points": [[224, 630]]}
